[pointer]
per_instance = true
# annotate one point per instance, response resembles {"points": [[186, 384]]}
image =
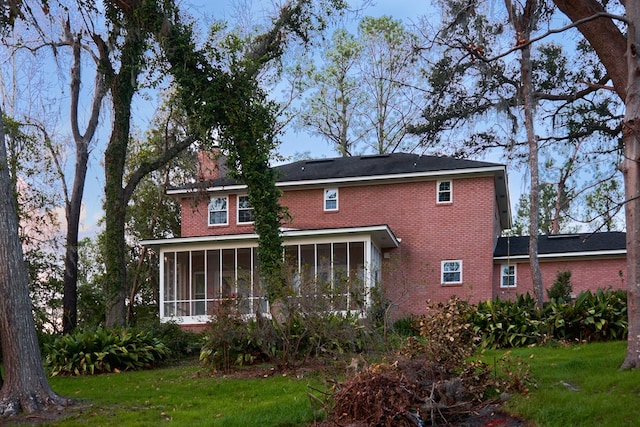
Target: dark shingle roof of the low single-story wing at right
{"points": [[562, 244]]}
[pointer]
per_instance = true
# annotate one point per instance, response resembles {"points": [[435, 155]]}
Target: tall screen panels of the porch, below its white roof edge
{"points": [[330, 275]]}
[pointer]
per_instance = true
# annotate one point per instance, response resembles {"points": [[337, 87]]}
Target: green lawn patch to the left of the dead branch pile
{"points": [[183, 396]]}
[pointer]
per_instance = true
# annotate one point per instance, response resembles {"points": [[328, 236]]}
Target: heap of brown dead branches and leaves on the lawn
{"points": [[431, 382]]}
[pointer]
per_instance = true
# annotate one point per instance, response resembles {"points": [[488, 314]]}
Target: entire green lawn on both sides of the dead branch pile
{"points": [[578, 385]]}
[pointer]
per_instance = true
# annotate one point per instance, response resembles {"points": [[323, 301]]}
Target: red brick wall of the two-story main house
{"points": [[461, 230]]}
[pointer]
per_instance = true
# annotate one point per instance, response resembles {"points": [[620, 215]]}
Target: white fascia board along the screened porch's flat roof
{"points": [[382, 231]]}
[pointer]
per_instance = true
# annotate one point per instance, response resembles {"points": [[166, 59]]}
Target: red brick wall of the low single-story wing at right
{"points": [[586, 274]]}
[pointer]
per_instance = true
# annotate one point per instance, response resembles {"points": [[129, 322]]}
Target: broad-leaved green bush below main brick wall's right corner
{"points": [[505, 323]]}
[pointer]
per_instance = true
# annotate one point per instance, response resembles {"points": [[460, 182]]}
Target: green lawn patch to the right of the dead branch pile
{"points": [[578, 385]]}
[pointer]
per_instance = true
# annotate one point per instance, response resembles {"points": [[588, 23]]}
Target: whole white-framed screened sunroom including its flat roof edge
{"points": [[332, 269]]}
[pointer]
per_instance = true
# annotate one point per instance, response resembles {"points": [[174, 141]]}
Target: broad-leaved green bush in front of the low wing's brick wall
{"points": [[599, 316]]}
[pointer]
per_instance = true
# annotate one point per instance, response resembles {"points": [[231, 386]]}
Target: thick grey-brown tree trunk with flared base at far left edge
{"points": [[25, 387]]}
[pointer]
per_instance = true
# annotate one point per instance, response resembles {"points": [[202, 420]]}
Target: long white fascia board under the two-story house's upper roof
{"points": [[355, 179]]}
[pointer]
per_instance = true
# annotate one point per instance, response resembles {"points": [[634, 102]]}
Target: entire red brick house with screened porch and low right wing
{"points": [[419, 227]]}
